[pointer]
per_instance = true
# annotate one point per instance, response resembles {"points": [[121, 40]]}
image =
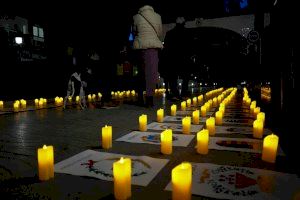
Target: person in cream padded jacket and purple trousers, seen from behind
{"points": [[148, 40]]}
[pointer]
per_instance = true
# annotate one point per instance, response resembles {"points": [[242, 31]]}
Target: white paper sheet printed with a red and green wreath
{"points": [[99, 165]]}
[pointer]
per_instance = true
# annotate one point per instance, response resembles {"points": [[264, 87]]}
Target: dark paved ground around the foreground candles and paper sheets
{"points": [[72, 131]]}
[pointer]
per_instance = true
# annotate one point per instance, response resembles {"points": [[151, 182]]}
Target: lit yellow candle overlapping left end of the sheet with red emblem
{"points": [[182, 181]]}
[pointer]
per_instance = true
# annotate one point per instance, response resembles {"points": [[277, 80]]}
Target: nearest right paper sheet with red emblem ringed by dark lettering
{"points": [[231, 182]]}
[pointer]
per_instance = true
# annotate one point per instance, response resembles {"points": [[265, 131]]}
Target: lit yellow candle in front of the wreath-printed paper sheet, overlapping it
{"points": [[122, 178]]}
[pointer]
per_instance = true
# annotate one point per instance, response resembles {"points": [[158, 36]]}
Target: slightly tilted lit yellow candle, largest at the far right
{"points": [[270, 145]]}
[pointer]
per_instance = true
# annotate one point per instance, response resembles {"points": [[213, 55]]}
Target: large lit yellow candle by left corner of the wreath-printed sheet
{"points": [[45, 163]]}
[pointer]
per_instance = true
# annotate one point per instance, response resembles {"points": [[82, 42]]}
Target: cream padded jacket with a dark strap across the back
{"points": [[146, 36]]}
